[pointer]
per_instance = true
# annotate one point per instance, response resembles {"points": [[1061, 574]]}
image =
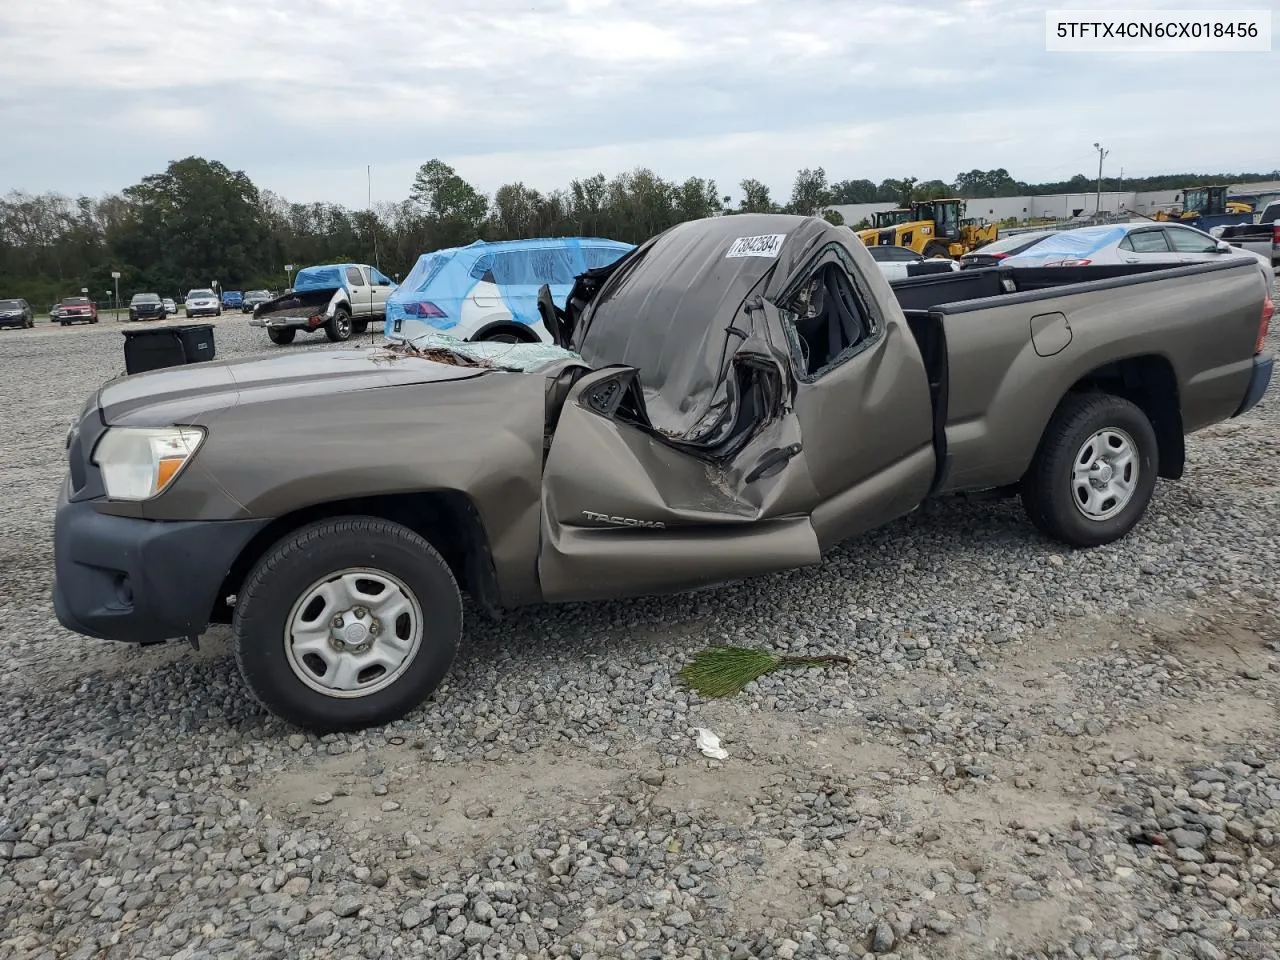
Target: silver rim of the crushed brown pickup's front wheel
{"points": [[354, 633]]}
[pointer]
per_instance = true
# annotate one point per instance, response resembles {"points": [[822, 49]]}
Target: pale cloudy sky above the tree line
{"points": [[307, 95]]}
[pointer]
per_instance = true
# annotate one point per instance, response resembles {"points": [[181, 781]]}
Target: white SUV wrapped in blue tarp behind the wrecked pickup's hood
{"points": [[492, 282]]}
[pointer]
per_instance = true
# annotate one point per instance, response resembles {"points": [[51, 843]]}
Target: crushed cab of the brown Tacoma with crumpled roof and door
{"points": [[808, 420]]}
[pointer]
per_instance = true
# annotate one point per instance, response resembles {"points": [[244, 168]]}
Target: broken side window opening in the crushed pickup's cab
{"points": [[828, 321]]}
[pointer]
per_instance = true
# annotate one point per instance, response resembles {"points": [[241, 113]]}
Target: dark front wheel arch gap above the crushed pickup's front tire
{"points": [[446, 519]]}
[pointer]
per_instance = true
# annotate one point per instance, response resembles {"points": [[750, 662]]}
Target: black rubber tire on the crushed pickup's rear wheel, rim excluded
{"points": [[1049, 491]]}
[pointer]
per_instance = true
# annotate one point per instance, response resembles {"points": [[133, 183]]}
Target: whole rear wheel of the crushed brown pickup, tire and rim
{"points": [[1095, 472]]}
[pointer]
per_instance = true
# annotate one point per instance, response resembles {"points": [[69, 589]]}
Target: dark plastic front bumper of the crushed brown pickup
{"points": [[140, 580]]}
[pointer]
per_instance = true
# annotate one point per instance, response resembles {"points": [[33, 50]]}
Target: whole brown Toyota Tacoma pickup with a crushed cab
{"points": [[734, 397]]}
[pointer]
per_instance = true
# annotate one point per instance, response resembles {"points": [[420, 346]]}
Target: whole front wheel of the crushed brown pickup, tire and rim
{"points": [[348, 624]]}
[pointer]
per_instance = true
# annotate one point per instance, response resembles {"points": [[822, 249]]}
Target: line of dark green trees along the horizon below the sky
{"points": [[199, 222]]}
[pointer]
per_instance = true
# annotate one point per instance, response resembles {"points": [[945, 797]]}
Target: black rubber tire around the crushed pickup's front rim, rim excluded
{"points": [[291, 568]]}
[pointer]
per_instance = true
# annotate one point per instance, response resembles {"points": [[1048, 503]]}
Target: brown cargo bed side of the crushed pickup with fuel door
{"points": [[1187, 331]]}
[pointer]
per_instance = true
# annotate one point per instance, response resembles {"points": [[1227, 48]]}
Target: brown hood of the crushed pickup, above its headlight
{"points": [[198, 392]]}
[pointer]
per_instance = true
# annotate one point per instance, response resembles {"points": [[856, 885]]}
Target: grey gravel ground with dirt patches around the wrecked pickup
{"points": [[1039, 753]]}
